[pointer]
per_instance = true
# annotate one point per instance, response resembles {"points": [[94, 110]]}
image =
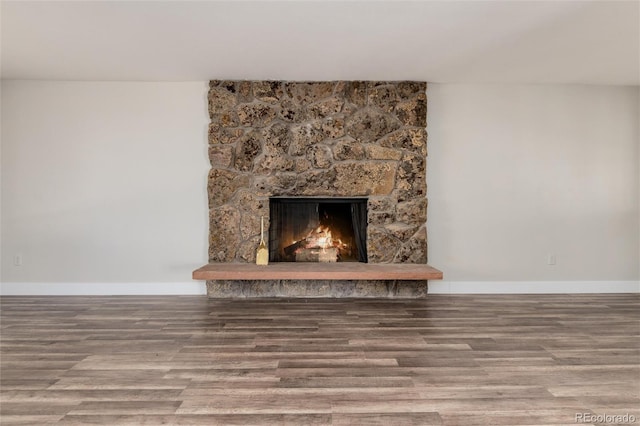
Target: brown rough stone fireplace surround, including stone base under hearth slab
{"points": [[341, 139]]}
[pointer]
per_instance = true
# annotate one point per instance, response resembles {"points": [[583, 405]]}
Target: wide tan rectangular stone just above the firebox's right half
{"points": [[354, 179]]}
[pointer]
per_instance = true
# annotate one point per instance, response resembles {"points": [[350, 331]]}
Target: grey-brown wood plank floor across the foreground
{"points": [[450, 360]]}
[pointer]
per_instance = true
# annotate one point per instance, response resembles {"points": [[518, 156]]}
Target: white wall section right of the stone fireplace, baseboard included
{"points": [[518, 173]]}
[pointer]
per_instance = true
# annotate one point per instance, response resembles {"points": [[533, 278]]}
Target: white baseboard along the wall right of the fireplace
{"points": [[532, 287]]}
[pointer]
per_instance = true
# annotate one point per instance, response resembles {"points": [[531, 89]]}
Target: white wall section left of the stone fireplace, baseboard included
{"points": [[103, 187]]}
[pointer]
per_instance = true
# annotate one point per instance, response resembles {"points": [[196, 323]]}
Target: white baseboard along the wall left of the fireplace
{"points": [[102, 289]]}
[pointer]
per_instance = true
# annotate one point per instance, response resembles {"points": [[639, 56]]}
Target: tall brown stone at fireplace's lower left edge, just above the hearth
{"points": [[224, 242]]}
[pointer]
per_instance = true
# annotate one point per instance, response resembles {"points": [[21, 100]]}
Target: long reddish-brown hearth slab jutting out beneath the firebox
{"points": [[317, 271]]}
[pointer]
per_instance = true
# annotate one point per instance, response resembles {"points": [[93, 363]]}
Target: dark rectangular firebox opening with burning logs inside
{"points": [[318, 230]]}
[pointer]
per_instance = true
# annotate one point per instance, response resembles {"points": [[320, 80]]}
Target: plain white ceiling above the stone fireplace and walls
{"points": [[581, 42]]}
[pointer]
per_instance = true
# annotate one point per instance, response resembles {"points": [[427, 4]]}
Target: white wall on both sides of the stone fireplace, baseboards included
{"points": [[104, 187]]}
